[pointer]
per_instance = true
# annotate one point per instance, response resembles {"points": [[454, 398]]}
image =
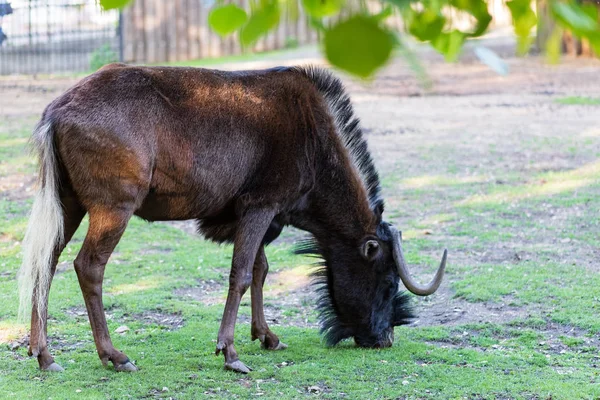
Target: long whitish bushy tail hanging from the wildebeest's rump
{"points": [[45, 228]]}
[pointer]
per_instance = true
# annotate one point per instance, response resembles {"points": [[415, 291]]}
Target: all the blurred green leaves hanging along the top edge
{"points": [[426, 20]]}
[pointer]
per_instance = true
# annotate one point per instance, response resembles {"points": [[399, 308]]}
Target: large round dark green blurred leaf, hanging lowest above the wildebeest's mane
{"points": [[358, 45]]}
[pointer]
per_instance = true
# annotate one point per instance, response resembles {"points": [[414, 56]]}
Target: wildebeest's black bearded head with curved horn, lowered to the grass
{"points": [[360, 295]]}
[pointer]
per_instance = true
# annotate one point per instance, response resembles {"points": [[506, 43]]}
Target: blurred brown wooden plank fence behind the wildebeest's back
{"points": [[177, 30]]}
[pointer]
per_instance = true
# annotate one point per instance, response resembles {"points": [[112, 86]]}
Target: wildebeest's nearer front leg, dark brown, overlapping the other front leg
{"points": [[248, 239]]}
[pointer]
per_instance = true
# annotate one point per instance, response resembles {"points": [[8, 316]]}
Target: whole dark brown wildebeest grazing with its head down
{"points": [[243, 153]]}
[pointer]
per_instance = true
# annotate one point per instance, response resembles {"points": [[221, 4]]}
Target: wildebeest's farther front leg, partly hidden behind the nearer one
{"points": [[260, 330]]}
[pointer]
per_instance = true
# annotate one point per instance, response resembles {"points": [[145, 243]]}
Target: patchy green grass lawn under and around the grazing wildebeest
{"points": [[526, 240]]}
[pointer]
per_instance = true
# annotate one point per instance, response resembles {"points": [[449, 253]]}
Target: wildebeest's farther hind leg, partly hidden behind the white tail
{"points": [[38, 343]]}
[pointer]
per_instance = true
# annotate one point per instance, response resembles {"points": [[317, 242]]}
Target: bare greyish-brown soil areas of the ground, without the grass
{"points": [[484, 121]]}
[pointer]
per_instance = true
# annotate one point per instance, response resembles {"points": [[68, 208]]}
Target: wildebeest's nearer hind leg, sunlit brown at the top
{"points": [[106, 228]]}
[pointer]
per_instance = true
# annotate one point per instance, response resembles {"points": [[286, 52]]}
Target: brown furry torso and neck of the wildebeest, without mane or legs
{"points": [[169, 134]]}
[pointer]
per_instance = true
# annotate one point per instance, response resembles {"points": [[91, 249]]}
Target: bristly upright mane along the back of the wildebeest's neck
{"points": [[348, 128]]}
